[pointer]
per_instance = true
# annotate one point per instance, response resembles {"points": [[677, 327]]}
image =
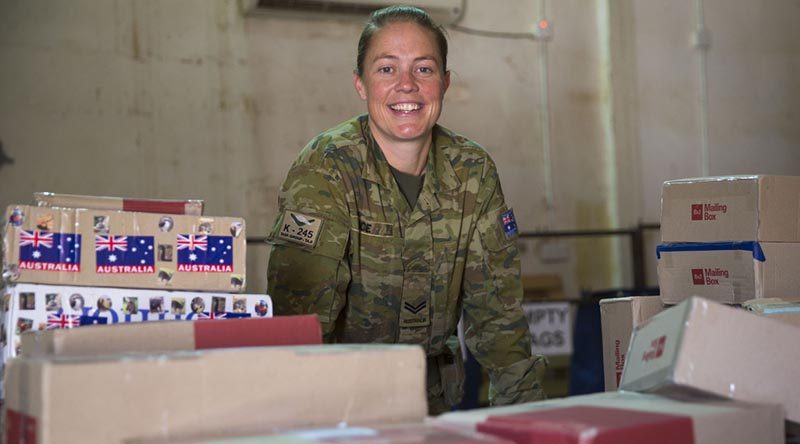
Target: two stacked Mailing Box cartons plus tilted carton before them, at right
{"points": [[725, 240]]}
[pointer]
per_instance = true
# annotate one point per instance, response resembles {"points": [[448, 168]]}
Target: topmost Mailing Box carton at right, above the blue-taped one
{"points": [[731, 208]]}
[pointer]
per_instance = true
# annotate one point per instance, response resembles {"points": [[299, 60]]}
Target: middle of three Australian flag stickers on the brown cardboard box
{"points": [[124, 254]]}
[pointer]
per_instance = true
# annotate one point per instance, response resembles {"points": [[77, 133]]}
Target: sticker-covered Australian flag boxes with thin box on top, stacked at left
{"points": [[82, 260]]}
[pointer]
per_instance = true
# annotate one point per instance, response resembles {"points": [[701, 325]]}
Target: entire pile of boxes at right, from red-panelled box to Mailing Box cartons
{"points": [[699, 371]]}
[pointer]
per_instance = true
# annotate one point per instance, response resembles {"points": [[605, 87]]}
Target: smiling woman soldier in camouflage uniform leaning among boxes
{"points": [[390, 226]]}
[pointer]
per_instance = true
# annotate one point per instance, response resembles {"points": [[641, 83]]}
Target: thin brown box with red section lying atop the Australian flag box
{"points": [[165, 206]]}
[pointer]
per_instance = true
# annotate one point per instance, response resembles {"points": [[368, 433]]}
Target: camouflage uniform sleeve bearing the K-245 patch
{"points": [[308, 271]]}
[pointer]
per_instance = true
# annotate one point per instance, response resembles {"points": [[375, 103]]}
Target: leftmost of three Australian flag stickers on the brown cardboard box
{"points": [[46, 251]]}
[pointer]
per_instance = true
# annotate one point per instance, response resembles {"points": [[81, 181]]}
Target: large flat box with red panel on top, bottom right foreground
{"points": [[627, 418]]}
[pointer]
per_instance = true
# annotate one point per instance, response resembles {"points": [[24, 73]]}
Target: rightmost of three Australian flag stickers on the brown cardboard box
{"points": [[205, 254]]}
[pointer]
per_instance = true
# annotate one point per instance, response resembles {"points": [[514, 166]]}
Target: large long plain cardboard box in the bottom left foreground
{"points": [[115, 398]]}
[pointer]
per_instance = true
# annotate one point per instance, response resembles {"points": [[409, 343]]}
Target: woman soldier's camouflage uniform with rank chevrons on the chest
{"points": [[347, 246]]}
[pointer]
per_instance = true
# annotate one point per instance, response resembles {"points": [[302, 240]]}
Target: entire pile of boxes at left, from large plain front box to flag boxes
{"points": [[75, 261]]}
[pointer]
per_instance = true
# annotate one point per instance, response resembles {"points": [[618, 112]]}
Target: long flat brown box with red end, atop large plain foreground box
{"points": [[170, 336]]}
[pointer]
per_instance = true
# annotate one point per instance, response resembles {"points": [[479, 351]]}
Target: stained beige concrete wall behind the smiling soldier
{"points": [[187, 98]]}
